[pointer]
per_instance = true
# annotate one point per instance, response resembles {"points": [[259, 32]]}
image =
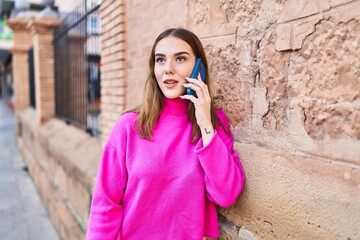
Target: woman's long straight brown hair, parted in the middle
{"points": [[153, 101]]}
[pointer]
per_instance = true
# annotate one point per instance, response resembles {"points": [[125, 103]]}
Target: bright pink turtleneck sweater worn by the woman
{"points": [[167, 188]]}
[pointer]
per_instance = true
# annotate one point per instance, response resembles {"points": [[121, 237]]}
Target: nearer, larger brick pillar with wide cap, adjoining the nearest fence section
{"points": [[43, 35]]}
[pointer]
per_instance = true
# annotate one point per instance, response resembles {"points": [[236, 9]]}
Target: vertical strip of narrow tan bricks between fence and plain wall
{"points": [[112, 63]]}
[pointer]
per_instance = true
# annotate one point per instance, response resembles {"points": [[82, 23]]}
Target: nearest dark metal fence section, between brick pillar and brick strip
{"points": [[77, 68]]}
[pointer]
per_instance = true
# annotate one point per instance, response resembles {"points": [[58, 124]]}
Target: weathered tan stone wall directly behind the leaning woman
{"points": [[287, 75]]}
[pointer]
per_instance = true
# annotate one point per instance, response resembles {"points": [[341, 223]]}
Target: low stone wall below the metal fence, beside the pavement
{"points": [[62, 161]]}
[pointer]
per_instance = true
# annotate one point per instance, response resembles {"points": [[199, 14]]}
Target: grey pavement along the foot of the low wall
{"points": [[22, 214]]}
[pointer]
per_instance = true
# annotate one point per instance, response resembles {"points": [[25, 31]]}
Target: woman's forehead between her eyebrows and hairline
{"points": [[171, 45]]}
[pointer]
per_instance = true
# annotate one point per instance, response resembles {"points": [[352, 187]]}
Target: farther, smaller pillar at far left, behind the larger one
{"points": [[22, 44]]}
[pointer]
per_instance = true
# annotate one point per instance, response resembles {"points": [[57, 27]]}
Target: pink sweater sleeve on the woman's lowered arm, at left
{"points": [[106, 211]]}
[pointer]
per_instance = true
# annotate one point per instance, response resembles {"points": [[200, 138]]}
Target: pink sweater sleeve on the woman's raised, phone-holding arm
{"points": [[224, 174]]}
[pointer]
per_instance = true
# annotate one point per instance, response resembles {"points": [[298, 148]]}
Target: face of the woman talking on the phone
{"points": [[174, 60]]}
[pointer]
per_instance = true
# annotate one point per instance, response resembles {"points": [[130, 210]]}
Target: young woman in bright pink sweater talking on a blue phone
{"points": [[169, 162]]}
